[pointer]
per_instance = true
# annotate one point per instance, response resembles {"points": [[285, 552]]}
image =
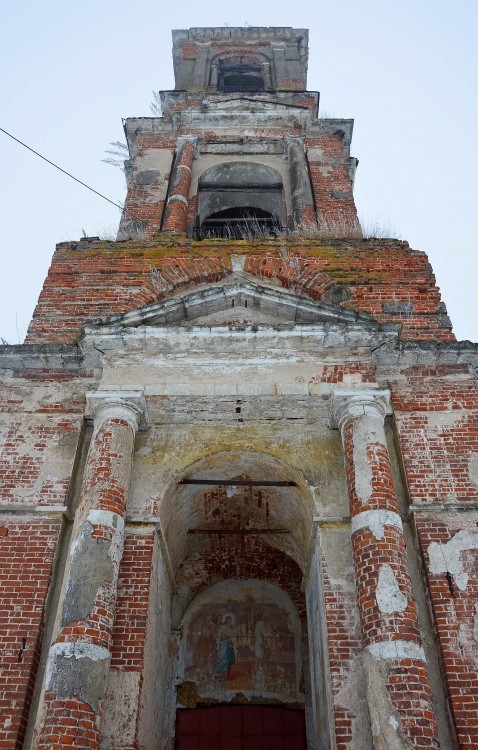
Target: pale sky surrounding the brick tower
{"points": [[405, 70]]}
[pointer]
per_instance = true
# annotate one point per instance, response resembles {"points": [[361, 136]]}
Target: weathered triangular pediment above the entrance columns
{"points": [[234, 304]]}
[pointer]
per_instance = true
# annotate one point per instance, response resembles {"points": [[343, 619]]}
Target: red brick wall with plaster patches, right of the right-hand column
{"points": [[437, 419]]}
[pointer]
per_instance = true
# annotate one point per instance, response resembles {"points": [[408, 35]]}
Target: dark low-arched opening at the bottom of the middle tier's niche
{"points": [[238, 223]]}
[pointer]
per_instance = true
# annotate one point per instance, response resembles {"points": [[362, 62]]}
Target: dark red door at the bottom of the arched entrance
{"points": [[240, 728]]}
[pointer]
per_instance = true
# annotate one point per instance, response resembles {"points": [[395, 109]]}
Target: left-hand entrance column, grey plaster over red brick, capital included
{"points": [[79, 658]]}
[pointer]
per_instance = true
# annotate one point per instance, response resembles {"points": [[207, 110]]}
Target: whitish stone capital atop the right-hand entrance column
{"points": [[346, 404]]}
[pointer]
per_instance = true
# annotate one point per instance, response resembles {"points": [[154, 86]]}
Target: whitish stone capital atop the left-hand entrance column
{"points": [[128, 405]]}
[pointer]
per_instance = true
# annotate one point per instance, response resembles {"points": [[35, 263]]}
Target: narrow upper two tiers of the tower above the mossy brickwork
{"points": [[239, 150]]}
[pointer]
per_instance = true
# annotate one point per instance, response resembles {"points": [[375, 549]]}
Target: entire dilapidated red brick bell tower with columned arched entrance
{"points": [[239, 457]]}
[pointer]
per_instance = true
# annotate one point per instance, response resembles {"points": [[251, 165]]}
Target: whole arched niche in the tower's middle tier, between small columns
{"points": [[240, 198]]}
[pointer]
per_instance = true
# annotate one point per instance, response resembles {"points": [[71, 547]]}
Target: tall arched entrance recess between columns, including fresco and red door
{"points": [[239, 529]]}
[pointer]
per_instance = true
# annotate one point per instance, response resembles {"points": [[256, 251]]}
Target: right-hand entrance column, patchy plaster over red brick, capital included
{"points": [[398, 690]]}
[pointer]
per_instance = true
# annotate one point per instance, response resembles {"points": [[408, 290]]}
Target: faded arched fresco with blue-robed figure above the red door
{"points": [[242, 645]]}
